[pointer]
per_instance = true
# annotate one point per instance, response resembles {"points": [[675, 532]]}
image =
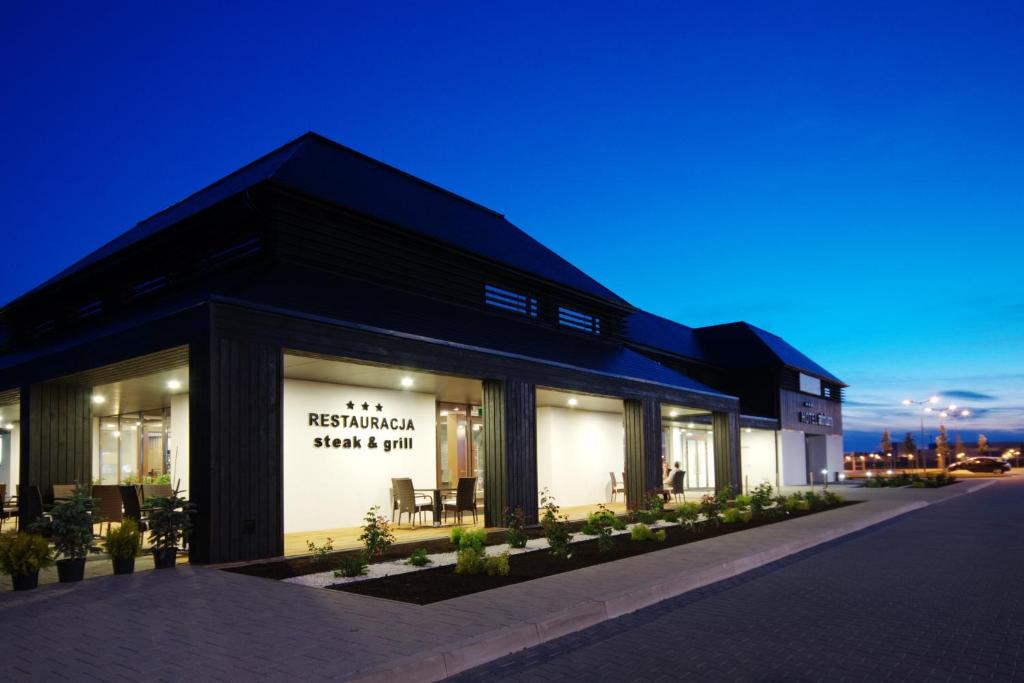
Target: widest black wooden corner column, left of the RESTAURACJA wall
{"points": [[235, 453]]}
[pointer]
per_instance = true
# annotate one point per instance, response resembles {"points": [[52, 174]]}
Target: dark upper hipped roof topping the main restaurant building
{"points": [[329, 172]]}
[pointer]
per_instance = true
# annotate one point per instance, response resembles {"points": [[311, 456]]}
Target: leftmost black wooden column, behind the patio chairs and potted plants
{"points": [[57, 436]]}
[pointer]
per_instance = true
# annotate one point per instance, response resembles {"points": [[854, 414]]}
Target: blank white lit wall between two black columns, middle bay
{"points": [[576, 451]]}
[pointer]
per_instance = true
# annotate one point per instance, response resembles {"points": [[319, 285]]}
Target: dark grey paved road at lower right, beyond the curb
{"points": [[935, 595]]}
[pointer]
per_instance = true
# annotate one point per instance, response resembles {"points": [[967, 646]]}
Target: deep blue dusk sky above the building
{"points": [[847, 176]]}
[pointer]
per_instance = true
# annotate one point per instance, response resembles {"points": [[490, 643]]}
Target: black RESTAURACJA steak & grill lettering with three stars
{"points": [[362, 418]]}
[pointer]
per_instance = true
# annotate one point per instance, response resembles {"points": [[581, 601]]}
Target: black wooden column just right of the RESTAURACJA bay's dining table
{"points": [[509, 450]]}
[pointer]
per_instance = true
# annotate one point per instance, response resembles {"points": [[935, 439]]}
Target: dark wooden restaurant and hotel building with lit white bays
{"points": [[287, 340]]}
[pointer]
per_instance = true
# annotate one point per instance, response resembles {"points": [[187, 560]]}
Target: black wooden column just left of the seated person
{"points": [[643, 420]]}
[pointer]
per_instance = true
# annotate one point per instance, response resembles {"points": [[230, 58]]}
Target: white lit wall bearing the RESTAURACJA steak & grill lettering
{"points": [[334, 488]]}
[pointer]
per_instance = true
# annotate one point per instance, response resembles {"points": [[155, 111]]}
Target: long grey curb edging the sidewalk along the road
{"points": [[467, 654]]}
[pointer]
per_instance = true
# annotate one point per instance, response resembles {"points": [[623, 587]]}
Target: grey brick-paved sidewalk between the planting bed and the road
{"points": [[201, 623]]}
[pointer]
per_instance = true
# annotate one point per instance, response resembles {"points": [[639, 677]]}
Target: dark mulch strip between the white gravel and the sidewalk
{"points": [[443, 584]]}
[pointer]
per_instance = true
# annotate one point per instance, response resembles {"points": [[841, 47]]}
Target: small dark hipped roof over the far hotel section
{"points": [[744, 346]]}
